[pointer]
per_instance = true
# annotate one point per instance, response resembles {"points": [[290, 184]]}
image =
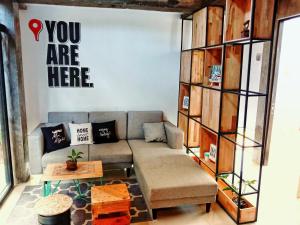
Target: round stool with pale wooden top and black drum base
{"points": [[54, 210]]}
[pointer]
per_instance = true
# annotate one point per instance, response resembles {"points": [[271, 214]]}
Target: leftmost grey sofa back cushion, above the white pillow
{"points": [[68, 117]]}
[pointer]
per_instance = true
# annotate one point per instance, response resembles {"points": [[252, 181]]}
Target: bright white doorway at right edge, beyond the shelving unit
{"points": [[281, 175]]}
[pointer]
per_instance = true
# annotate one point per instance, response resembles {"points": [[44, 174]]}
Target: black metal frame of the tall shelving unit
{"points": [[247, 93]]}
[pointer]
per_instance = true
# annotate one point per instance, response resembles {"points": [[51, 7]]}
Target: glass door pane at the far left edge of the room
{"points": [[6, 180]]}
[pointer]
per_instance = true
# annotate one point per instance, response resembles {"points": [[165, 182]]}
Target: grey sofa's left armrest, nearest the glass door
{"points": [[36, 150]]}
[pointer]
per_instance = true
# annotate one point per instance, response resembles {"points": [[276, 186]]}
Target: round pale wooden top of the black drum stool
{"points": [[53, 205]]}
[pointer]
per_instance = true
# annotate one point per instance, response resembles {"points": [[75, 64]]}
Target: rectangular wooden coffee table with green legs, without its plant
{"points": [[58, 172]]}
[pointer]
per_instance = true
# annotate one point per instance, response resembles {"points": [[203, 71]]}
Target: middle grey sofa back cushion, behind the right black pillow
{"points": [[119, 116]]}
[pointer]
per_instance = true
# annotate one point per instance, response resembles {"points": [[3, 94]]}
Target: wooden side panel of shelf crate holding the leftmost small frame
{"points": [[196, 101]]}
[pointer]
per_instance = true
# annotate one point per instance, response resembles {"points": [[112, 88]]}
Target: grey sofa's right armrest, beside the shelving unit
{"points": [[174, 136]]}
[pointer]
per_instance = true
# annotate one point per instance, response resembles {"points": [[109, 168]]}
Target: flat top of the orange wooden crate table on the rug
{"points": [[109, 193]]}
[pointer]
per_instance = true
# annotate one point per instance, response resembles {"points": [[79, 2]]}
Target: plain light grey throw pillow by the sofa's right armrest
{"points": [[155, 132]]}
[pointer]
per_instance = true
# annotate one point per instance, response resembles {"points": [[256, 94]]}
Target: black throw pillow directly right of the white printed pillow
{"points": [[104, 132]]}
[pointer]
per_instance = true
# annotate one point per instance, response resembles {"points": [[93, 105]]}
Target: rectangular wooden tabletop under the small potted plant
{"points": [[86, 170]]}
